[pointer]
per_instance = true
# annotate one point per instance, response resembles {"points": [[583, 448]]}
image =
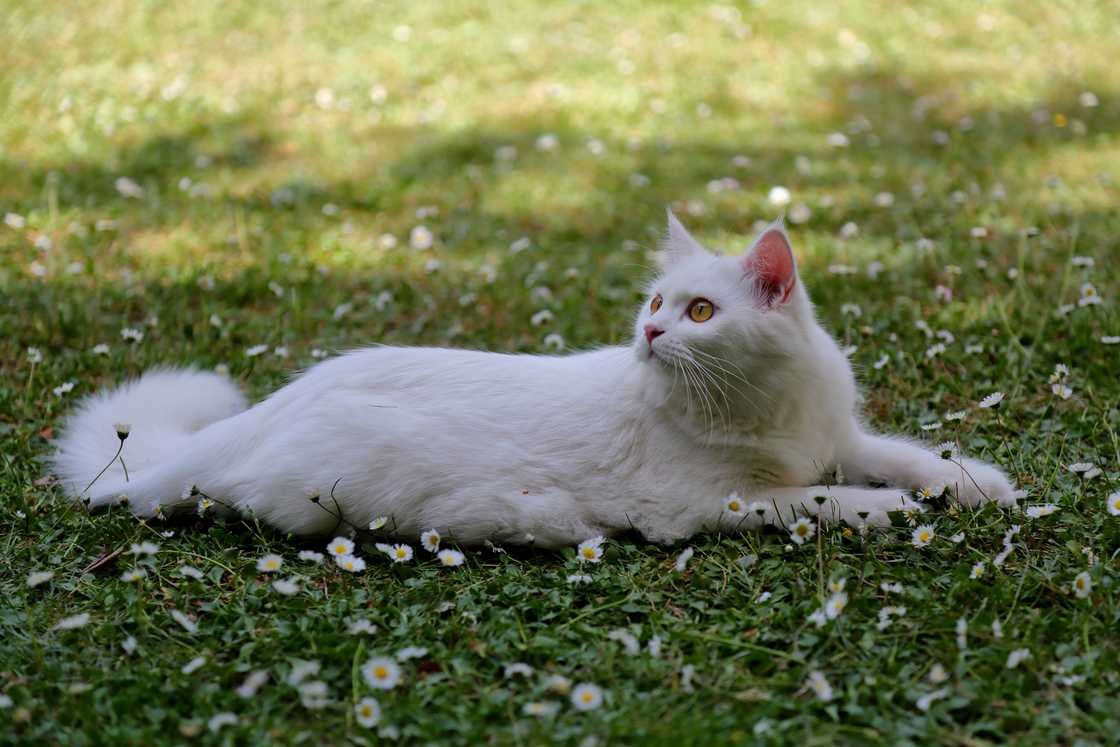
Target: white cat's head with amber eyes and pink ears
{"points": [[740, 313]]}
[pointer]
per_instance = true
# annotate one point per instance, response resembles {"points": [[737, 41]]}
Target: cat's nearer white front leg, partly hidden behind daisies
{"points": [[837, 503]]}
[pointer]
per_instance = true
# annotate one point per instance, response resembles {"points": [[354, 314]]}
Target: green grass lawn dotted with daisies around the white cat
{"points": [[270, 176]]}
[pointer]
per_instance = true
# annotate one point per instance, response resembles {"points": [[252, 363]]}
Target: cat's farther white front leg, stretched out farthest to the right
{"points": [[881, 460]]}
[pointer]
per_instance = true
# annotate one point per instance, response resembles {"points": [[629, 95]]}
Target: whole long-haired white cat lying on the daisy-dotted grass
{"points": [[730, 386]]}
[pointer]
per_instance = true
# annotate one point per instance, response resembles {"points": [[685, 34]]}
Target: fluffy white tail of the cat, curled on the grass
{"points": [[160, 412]]}
